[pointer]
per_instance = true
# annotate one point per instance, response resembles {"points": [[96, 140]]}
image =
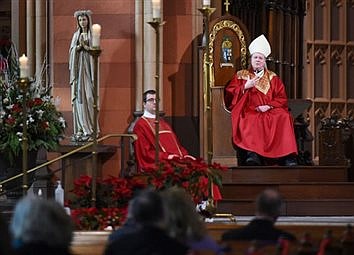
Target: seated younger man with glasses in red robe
{"points": [[169, 145]]}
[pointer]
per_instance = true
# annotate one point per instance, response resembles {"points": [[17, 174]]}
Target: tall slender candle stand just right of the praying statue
{"points": [[95, 52]]}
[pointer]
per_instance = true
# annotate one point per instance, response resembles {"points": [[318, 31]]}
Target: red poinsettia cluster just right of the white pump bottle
{"points": [[112, 198]]}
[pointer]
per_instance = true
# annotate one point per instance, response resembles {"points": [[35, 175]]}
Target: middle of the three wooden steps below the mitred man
{"points": [[305, 190]]}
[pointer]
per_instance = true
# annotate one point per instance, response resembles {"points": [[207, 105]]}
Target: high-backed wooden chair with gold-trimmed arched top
{"points": [[228, 47]]}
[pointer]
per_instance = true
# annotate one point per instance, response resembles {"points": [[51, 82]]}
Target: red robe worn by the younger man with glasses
{"points": [[168, 145]]}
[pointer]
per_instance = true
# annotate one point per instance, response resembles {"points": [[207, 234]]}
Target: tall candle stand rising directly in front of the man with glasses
{"points": [[156, 23]]}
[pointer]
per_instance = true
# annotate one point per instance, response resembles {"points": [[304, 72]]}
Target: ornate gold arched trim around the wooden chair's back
{"points": [[216, 28]]}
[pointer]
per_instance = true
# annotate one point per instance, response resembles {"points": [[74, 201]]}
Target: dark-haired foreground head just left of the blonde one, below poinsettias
{"points": [[147, 208]]}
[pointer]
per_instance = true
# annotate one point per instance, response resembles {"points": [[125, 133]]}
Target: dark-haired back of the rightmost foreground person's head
{"points": [[268, 203]]}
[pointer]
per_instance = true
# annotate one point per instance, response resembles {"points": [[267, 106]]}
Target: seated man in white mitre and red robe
{"points": [[261, 122]]}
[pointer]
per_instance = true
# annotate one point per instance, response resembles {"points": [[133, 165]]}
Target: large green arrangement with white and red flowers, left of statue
{"points": [[45, 125]]}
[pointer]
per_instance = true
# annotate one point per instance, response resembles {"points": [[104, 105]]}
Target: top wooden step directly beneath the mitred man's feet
{"points": [[286, 174]]}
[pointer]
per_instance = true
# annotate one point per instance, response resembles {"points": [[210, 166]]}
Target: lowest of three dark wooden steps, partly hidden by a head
{"points": [[292, 207]]}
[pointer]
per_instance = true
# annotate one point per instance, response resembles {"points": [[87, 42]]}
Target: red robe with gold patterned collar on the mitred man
{"points": [[270, 133]]}
